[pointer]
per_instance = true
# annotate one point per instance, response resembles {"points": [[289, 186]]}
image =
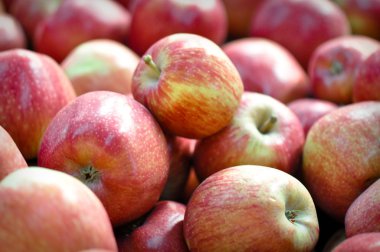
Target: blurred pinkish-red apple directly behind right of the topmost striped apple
{"points": [[267, 67]]}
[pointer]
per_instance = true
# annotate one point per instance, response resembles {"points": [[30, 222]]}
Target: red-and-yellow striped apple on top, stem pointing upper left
{"points": [[189, 84]]}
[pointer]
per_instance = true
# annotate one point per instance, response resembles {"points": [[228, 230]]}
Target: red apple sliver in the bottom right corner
{"points": [[365, 242]]}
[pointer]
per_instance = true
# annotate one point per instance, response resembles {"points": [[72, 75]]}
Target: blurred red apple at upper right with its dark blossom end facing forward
{"points": [[334, 66]]}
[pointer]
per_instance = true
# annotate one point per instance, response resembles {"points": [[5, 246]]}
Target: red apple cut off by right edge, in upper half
{"points": [[366, 86]]}
